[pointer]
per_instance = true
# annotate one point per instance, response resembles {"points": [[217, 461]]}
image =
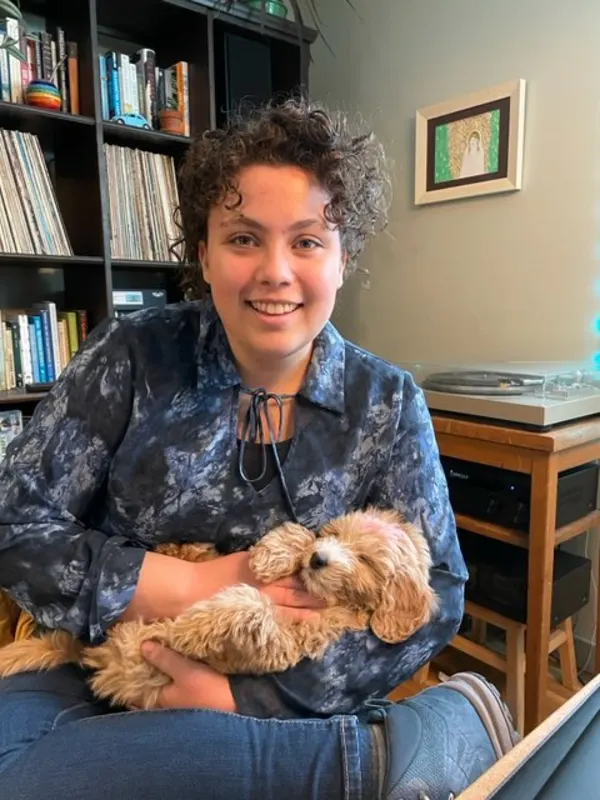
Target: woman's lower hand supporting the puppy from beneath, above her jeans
{"points": [[194, 685]]}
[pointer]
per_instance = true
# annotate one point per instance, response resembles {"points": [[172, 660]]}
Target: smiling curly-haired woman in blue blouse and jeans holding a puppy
{"points": [[216, 420]]}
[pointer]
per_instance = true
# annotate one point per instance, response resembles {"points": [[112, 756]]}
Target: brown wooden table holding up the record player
{"points": [[543, 455]]}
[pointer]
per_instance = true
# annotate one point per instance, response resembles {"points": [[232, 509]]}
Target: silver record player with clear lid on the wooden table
{"points": [[536, 394]]}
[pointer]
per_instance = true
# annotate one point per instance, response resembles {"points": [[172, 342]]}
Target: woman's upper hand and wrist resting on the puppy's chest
{"points": [[288, 594]]}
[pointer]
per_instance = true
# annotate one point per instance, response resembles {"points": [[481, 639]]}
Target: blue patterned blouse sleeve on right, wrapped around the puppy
{"points": [[360, 667]]}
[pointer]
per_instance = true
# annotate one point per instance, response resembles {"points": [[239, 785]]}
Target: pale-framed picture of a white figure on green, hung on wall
{"points": [[470, 146]]}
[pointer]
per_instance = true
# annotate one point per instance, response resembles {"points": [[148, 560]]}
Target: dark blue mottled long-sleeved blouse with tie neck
{"points": [[137, 444]]}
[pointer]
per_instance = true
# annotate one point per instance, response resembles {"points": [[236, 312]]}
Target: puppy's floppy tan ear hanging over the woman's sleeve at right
{"points": [[407, 604]]}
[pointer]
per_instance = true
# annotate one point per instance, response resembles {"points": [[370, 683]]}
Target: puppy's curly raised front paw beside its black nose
{"points": [[279, 552]]}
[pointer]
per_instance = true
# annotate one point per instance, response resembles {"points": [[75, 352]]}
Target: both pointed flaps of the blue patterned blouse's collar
{"points": [[324, 384]]}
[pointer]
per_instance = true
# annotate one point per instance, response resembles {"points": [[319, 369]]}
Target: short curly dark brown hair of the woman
{"points": [[347, 160]]}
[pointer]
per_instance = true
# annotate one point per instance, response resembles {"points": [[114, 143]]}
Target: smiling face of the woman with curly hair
{"points": [[273, 264]]}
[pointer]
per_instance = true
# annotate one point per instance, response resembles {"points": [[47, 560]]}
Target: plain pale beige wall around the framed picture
{"points": [[504, 277]]}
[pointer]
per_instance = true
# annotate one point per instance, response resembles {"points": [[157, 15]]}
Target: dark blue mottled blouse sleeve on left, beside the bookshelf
{"points": [[64, 573]]}
